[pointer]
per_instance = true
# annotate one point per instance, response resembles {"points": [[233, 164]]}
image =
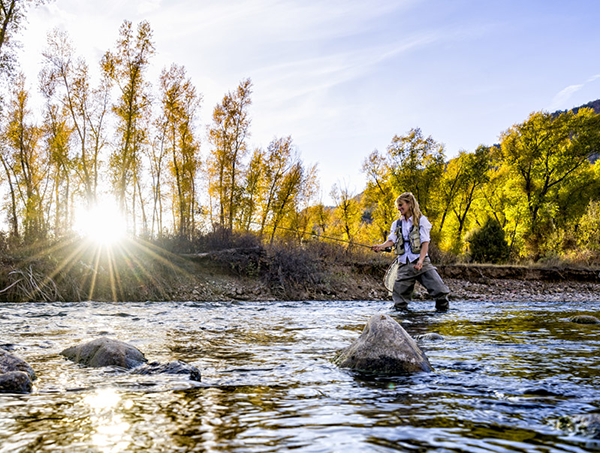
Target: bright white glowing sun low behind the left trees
{"points": [[103, 224]]}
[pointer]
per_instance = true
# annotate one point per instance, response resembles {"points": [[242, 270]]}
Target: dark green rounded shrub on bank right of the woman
{"points": [[488, 245]]}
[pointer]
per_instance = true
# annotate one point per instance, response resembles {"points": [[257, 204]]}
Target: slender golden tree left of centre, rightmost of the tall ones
{"points": [[228, 134]]}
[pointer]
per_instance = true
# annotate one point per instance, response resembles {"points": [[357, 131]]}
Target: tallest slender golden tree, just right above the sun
{"points": [[126, 67]]}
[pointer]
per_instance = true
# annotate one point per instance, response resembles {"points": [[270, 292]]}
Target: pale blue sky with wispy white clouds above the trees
{"points": [[343, 77]]}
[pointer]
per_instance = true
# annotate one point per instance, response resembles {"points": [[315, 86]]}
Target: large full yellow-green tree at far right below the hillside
{"points": [[548, 159]]}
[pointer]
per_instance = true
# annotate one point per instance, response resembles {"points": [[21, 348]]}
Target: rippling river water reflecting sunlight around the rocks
{"points": [[503, 376]]}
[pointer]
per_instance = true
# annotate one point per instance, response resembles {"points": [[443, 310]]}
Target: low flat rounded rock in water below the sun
{"points": [[105, 352]]}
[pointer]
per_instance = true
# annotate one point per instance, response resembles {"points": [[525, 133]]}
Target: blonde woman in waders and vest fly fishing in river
{"points": [[410, 239]]}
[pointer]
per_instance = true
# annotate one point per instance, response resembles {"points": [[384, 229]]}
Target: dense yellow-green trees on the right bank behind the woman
{"points": [[540, 187]]}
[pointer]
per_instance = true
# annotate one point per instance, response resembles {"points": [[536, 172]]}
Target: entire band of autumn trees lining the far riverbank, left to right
{"points": [[140, 143]]}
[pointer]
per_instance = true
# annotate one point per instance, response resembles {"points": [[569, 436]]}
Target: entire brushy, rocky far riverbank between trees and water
{"points": [[261, 273]]}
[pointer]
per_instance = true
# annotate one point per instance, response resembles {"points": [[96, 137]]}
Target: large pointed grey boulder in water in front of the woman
{"points": [[384, 347]]}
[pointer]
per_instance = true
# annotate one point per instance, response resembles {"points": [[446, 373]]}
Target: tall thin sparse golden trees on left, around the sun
{"points": [[139, 143]]}
